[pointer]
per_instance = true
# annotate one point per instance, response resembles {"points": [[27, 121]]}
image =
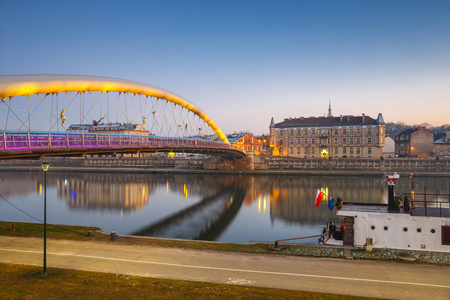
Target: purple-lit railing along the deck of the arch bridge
{"points": [[42, 140]]}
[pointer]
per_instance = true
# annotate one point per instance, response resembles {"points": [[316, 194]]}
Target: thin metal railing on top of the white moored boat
{"points": [[425, 204]]}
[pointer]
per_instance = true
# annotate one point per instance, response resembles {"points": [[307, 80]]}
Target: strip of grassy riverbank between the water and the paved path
{"points": [[94, 234]]}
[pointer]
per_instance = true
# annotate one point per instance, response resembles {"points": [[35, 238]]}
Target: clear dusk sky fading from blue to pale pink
{"points": [[244, 62]]}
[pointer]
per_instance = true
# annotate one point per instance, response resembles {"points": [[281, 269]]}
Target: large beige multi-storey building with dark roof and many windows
{"points": [[343, 136]]}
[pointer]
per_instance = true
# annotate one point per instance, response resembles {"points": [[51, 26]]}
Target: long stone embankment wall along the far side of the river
{"points": [[251, 163]]}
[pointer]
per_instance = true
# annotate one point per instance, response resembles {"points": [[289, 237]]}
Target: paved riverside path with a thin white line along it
{"points": [[334, 276]]}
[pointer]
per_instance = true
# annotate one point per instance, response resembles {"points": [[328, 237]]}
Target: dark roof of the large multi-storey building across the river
{"points": [[328, 121]]}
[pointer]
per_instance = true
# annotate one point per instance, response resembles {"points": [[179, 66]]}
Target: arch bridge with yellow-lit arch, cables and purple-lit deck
{"points": [[71, 115]]}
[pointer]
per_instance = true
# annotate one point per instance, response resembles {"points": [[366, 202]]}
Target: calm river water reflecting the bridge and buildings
{"points": [[224, 208]]}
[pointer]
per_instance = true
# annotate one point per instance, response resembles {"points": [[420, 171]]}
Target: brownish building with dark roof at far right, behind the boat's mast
{"points": [[415, 142]]}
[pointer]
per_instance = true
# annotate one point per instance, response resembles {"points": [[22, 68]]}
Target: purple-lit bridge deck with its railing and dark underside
{"points": [[30, 144]]}
